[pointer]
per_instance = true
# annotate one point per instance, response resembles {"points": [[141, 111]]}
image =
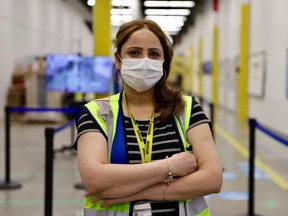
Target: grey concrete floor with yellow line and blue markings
{"points": [[28, 169]]}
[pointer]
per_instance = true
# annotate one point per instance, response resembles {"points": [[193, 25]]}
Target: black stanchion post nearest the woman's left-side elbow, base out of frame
{"points": [[49, 136]]}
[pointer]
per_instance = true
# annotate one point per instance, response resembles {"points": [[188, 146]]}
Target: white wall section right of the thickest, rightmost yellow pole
{"points": [[270, 34]]}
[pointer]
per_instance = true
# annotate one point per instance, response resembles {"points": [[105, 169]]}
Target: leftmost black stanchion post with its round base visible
{"points": [[7, 183]]}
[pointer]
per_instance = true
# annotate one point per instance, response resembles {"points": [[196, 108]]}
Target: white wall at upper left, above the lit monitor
{"points": [[37, 27]]}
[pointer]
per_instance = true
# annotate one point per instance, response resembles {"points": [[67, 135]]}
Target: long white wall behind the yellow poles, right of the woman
{"points": [[268, 33]]}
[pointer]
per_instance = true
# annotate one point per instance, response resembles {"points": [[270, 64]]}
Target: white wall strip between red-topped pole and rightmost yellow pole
{"points": [[228, 24]]}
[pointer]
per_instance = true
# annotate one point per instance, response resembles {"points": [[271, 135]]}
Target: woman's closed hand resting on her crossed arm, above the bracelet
{"points": [[182, 164]]}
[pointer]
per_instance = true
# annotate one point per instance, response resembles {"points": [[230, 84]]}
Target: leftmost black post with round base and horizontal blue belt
{"points": [[8, 183]]}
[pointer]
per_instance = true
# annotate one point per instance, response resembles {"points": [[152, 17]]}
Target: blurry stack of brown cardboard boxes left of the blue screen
{"points": [[28, 89]]}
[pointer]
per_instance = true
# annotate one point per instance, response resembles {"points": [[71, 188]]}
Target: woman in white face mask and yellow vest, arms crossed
{"points": [[147, 150]]}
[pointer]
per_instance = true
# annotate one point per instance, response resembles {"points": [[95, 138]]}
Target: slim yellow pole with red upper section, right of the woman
{"points": [[215, 66]]}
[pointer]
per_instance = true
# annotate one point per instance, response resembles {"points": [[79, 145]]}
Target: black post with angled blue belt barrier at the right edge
{"points": [[253, 125]]}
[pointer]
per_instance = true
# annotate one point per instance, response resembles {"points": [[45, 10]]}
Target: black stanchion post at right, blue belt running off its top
{"points": [[251, 166]]}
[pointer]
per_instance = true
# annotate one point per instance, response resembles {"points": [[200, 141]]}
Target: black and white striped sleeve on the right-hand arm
{"points": [[198, 116]]}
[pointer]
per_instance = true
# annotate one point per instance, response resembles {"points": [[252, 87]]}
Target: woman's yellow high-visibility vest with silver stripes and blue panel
{"points": [[106, 113]]}
